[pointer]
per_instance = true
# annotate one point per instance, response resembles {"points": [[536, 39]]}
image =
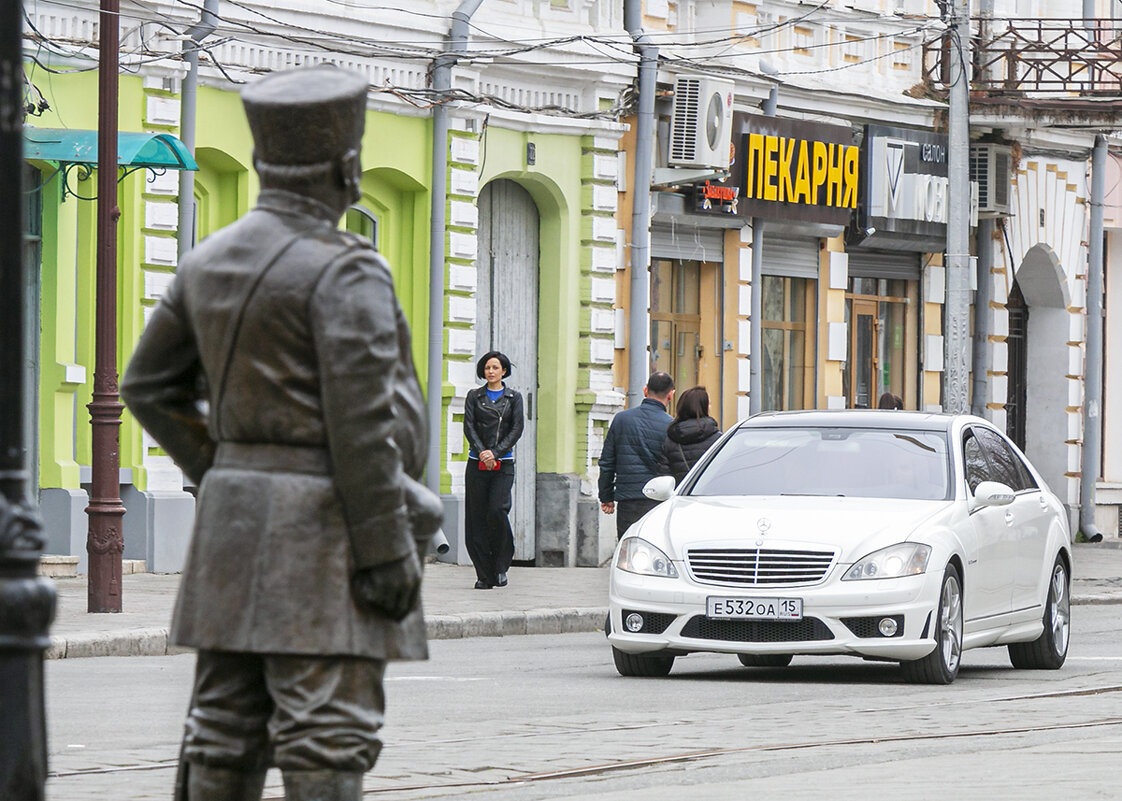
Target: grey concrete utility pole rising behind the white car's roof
{"points": [[958, 309]]}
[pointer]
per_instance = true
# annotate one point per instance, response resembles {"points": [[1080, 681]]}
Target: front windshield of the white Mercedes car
{"points": [[820, 462]]}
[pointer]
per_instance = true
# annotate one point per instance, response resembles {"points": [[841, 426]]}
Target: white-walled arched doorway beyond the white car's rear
{"points": [[1041, 384]]}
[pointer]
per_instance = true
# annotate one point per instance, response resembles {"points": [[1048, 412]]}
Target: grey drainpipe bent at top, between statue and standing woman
{"points": [[442, 82]]}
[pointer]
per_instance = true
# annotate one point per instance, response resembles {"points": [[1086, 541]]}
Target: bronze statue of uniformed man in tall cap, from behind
{"points": [[304, 575]]}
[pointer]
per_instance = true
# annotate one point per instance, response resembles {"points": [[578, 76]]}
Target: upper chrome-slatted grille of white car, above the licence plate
{"points": [[756, 567]]}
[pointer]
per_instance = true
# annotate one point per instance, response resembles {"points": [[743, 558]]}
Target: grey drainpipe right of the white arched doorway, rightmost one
{"points": [[1093, 361]]}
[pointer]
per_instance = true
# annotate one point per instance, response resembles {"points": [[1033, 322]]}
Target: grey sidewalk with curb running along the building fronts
{"points": [[538, 601]]}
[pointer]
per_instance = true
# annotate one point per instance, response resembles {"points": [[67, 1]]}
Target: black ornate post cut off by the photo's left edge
{"points": [[27, 602]]}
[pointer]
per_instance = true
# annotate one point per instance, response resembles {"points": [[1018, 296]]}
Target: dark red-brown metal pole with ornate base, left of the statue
{"points": [[106, 541]]}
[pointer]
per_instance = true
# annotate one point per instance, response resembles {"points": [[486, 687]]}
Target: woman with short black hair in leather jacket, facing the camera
{"points": [[493, 423]]}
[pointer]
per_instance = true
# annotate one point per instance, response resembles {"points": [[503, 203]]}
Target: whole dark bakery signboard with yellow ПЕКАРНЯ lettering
{"points": [[790, 170]]}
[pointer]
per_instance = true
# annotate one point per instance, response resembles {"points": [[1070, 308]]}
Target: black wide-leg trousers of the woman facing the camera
{"points": [[488, 519]]}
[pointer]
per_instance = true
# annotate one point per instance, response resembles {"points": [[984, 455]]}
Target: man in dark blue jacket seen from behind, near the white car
{"points": [[631, 454]]}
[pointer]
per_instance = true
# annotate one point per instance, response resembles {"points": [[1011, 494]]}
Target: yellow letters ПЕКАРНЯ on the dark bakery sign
{"points": [[787, 170]]}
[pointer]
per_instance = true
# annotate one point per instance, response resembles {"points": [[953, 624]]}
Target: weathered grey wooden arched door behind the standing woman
{"points": [[507, 320]]}
